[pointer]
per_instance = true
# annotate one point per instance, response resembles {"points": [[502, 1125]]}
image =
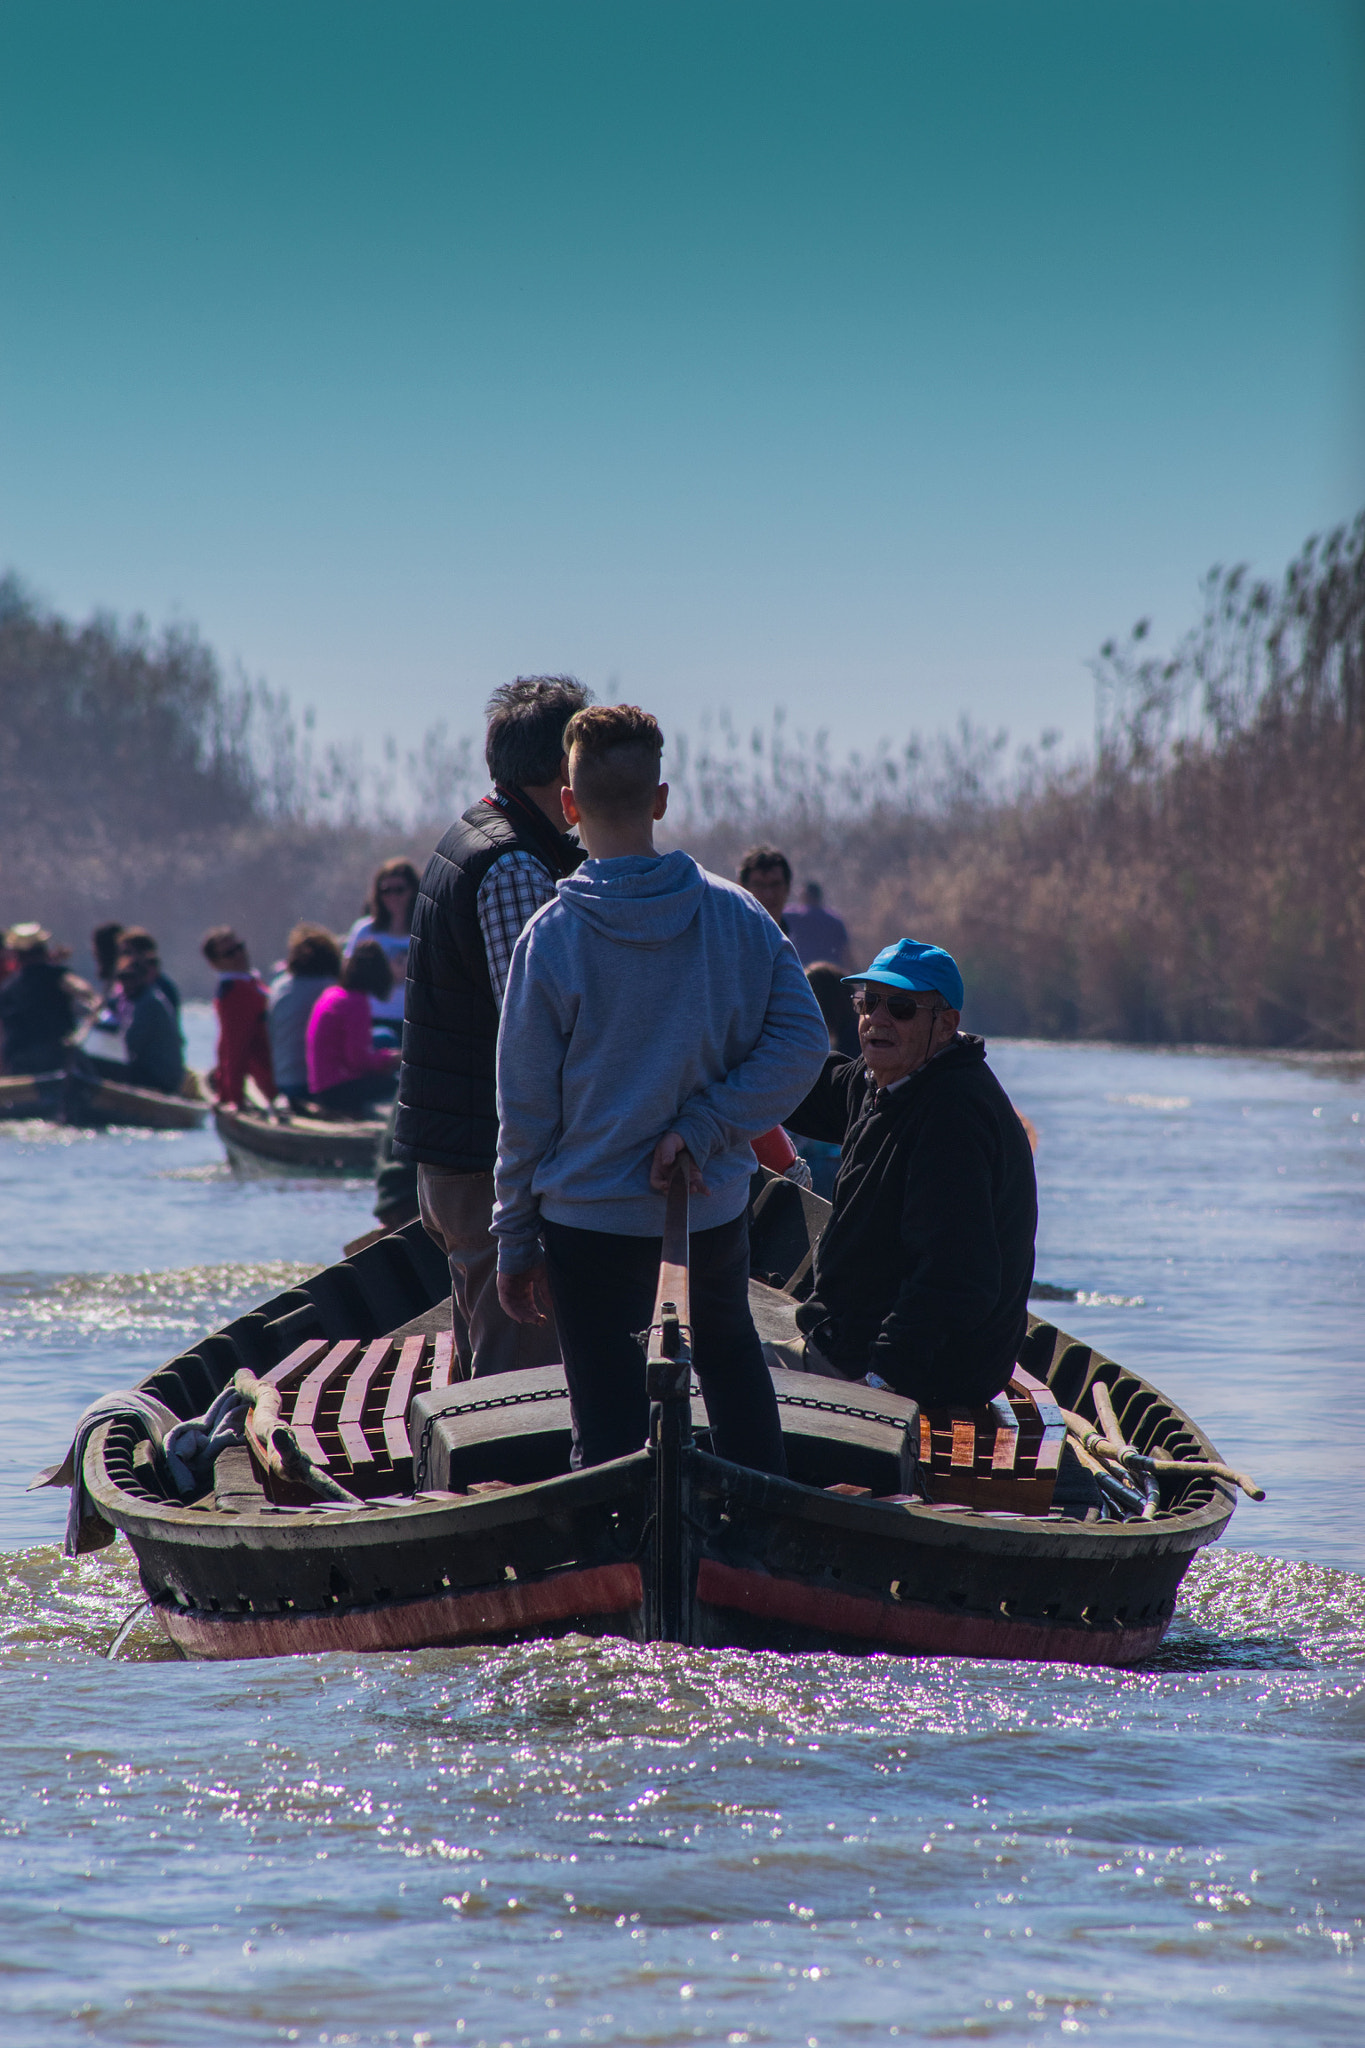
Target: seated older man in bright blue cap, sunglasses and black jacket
{"points": [[924, 1271]]}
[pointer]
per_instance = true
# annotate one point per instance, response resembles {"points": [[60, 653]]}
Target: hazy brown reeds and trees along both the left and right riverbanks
{"points": [[1198, 878]]}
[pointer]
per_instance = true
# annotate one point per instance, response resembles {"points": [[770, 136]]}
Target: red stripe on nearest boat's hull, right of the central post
{"points": [[916, 1629]]}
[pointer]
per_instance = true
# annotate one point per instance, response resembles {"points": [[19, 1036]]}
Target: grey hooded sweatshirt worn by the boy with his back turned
{"points": [[646, 998]]}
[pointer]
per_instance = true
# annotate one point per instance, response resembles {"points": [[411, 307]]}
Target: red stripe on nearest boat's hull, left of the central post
{"points": [[412, 1625]]}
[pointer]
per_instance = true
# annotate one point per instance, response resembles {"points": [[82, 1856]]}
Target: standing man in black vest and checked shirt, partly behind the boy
{"points": [[490, 873]]}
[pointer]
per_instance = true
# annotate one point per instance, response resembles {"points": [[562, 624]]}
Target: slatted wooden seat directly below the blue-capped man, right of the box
{"points": [[1004, 1455]]}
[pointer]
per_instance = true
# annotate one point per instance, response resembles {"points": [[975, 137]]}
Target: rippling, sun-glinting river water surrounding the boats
{"points": [[592, 1842]]}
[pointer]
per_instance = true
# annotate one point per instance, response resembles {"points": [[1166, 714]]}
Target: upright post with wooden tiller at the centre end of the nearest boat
{"points": [[668, 1381]]}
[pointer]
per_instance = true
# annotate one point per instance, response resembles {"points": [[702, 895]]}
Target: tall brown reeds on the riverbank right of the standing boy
{"points": [[1200, 880]]}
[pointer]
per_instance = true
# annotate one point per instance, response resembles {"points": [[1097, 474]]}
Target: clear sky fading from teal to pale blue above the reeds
{"points": [[871, 359]]}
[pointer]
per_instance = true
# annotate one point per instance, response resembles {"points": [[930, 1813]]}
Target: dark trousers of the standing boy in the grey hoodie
{"points": [[605, 1293]]}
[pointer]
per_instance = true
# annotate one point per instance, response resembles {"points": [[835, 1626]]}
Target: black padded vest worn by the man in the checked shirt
{"points": [[447, 1107]]}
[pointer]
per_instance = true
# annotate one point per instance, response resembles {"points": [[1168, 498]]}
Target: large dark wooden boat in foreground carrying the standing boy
{"points": [[380, 1502]]}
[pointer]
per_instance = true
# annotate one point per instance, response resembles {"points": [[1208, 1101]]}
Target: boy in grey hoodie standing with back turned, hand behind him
{"points": [[654, 1017]]}
